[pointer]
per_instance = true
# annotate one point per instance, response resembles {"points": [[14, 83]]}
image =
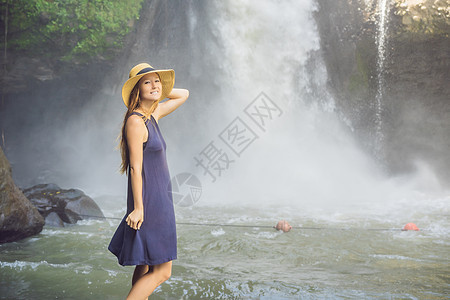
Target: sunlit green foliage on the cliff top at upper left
{"points": [[71, 29]]}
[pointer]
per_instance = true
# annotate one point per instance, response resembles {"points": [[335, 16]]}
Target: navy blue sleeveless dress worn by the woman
{"points": [[156, 241]]}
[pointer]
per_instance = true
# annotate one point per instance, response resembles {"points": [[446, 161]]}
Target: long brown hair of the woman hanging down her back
{"points": [[133, 104]]}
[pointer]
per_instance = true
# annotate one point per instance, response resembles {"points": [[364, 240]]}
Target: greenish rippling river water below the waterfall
{"points": [[341, 255]]}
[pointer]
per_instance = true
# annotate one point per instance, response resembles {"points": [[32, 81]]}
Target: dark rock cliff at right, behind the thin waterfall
{"points": [[415, 110]]}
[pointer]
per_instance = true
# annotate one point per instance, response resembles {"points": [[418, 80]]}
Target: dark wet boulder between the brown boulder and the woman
{"points": [[60, 207]]}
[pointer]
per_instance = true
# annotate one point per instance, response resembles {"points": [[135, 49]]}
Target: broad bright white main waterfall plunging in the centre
{"points": [[306, 157]]}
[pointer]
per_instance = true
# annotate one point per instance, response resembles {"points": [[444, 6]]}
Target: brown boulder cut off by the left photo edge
{"points": [[18, 216]]}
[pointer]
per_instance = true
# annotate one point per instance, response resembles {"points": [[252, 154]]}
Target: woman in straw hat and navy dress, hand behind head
{"points": [[146, 237]]}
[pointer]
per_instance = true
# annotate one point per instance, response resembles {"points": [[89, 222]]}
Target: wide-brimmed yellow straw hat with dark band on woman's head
{"points": [[167, 80]]}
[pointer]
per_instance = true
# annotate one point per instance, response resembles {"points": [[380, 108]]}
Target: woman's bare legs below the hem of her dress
{"points": [[145, 283]]}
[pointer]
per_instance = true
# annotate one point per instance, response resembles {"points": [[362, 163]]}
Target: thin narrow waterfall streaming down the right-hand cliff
{"points": [[382, 29]]}
